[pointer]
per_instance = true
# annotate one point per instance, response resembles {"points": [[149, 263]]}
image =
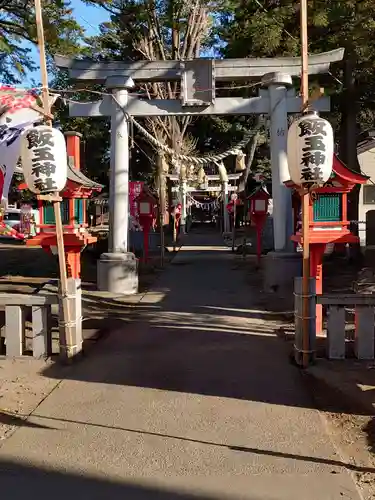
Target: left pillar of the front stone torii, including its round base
{"points": [[117, 269]]}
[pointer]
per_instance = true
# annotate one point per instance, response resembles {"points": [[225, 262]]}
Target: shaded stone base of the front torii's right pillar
{"points": [[280, 269]]}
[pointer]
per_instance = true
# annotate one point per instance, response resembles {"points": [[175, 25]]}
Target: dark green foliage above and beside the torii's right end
{"points": [[252, 28]]}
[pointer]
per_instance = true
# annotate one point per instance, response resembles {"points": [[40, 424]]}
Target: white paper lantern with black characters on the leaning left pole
{"points": [[44, 159]]}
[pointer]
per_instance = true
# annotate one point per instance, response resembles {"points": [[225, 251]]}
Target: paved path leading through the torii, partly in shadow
{"points": [[192, 398]]}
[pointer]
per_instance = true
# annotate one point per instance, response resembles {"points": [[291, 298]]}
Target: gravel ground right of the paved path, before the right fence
{"points": [[345, 394]]}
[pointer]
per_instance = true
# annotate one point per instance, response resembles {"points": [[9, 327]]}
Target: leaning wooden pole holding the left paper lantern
{"points": [[67, 348]]}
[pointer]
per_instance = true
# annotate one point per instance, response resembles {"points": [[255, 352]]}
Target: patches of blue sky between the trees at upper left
{"points": [[88, 17]]}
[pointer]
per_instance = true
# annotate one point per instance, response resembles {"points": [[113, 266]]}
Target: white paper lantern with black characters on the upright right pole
{"points": [[310, 150]]}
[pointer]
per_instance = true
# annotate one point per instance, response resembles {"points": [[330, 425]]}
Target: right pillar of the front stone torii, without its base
{"points": [[277, 84]]}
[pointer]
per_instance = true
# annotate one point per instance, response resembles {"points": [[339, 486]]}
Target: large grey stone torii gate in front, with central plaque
{"points": [[117, 269]]}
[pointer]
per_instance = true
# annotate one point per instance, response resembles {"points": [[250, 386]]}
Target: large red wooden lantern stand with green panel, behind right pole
{"points": [[328, 221]]}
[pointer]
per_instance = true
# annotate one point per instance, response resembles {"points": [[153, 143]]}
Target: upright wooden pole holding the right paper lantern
{"points": [[305, 194]]}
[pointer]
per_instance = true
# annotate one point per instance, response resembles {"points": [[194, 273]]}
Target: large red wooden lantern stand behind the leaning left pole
{"points": [[76, 236]]}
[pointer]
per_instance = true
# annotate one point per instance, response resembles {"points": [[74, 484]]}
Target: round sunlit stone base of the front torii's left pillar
{"points": [[118, 273]]}
